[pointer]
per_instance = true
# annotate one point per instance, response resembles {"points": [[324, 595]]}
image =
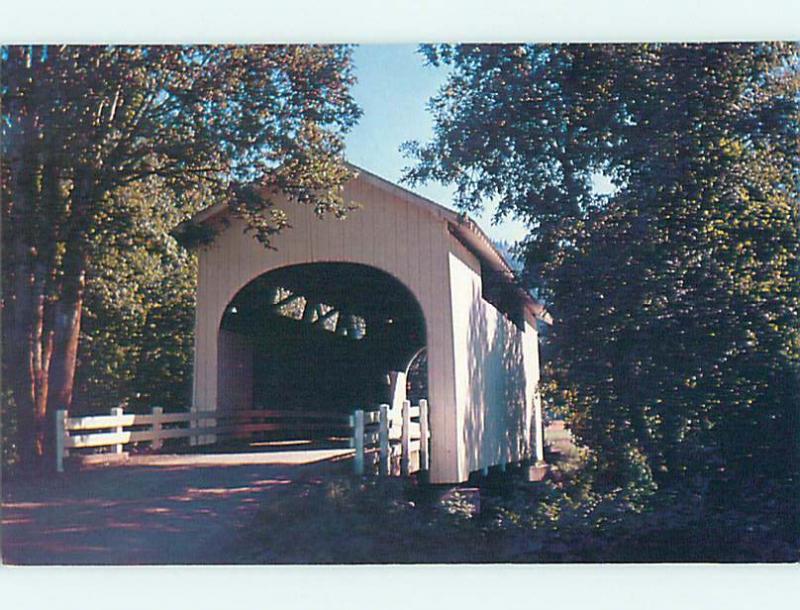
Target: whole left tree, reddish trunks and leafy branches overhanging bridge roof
{"points": [[80, 123]]}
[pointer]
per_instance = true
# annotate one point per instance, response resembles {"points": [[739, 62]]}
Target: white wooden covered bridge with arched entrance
{"points": [[342, 309]]}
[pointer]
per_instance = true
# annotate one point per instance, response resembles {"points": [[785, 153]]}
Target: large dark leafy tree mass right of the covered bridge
{"points": [[675, 347]]}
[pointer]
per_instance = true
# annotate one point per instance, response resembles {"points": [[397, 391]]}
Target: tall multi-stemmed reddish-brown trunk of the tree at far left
{"points": [[43, 329]]}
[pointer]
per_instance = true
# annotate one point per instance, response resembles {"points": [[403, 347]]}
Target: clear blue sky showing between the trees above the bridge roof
{"points": [[393, 87]]}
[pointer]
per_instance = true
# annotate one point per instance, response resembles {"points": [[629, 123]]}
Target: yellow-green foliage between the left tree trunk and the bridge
{"points": [[137, 333]]}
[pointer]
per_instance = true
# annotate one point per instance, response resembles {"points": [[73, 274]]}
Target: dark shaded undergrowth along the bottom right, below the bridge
{"points": [[344, 520]]}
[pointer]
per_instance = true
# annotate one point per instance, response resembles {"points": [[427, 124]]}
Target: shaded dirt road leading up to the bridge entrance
{"points": [[165, 509]]}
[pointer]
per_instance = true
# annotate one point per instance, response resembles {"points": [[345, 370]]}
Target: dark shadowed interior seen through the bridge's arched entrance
{"points": [[325, 335]]}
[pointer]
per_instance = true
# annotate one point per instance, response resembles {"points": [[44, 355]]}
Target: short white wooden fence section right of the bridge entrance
{"points": [[381, 437]]}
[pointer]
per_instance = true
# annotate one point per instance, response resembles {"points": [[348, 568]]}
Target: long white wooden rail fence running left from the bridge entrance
{"points": [[118, 428]]}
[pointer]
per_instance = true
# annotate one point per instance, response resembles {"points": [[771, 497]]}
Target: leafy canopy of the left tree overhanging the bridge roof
{"points": [[273, 115]]}
